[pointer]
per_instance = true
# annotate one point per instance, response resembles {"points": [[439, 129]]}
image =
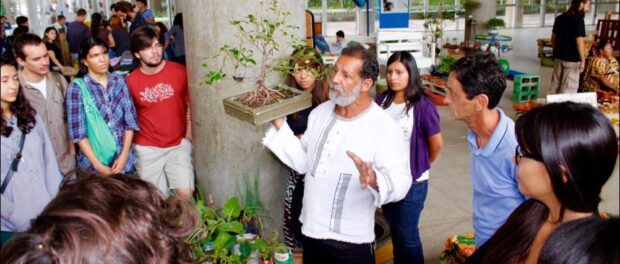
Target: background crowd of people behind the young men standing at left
{"points": [[63, 38]]}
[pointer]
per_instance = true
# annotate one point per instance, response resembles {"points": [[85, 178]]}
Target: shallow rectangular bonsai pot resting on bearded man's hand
{"points": [[263, 114]]}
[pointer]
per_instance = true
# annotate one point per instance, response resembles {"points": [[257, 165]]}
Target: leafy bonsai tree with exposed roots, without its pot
{"points": [[259, 37]]}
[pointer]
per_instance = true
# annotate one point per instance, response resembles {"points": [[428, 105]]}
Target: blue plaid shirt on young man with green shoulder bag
{"points": [[114, 105]]}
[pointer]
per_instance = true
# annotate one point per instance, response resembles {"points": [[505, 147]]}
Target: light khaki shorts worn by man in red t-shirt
{"points": [[166, 168]]}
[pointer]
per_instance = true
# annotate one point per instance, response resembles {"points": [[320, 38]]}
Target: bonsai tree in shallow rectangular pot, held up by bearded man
{"points": [[264, 32]]}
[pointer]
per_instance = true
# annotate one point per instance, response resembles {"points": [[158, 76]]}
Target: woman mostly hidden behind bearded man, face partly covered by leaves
{"points": [[307, 74]]}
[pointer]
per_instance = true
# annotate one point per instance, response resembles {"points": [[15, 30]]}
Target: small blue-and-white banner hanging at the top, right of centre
{"points": [[393, 13]]}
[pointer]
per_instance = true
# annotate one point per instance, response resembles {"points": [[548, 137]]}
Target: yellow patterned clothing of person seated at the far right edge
{"points": [[601, 67]]}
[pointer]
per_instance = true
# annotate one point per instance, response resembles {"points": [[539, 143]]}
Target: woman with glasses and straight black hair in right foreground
{"points": [[566, 153]]}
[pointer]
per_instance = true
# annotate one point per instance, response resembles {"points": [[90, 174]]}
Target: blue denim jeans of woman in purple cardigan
{"points": [[403, 217]]}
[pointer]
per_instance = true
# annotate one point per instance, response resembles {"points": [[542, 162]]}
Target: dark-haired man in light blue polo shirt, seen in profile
{"points": [[475, 87]]}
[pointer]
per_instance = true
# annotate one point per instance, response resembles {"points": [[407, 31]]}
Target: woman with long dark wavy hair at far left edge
{"points": [[28, 183]]}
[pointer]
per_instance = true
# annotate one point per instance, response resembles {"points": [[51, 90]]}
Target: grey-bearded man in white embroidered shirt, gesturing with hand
{"points": [[355, 159]]}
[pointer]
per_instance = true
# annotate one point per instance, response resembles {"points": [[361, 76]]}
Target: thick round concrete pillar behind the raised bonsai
{"points": [[224, 147]]}
